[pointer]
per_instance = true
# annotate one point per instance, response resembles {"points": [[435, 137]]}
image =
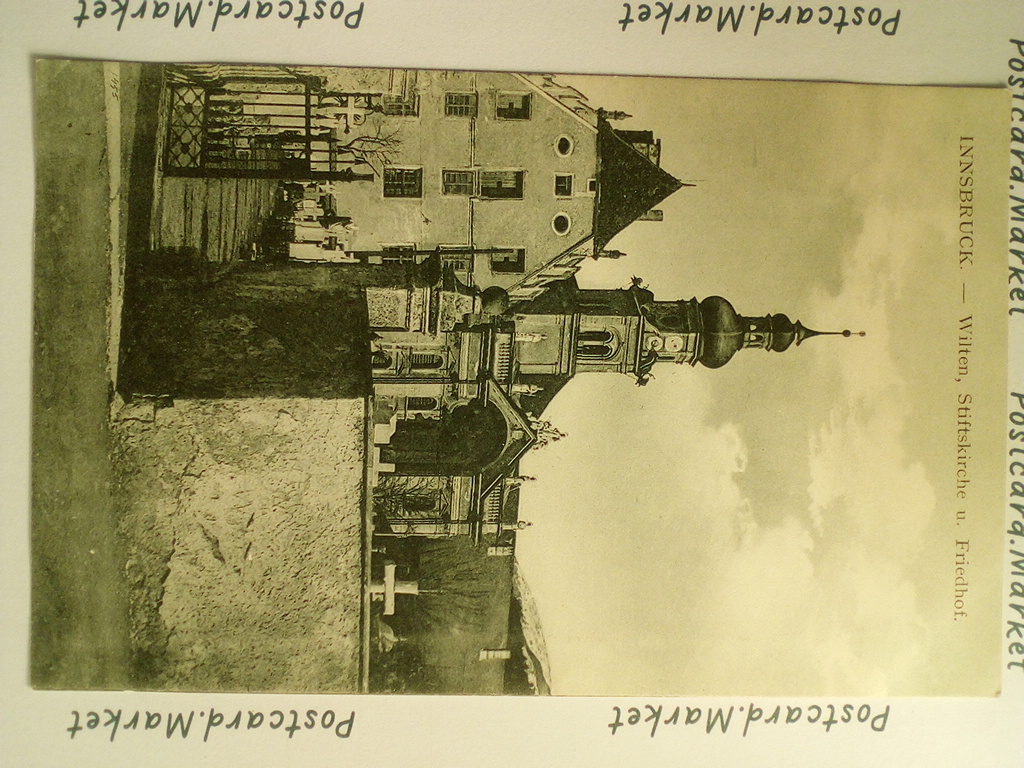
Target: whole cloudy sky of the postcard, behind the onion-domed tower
{"points": [[787, 524]]}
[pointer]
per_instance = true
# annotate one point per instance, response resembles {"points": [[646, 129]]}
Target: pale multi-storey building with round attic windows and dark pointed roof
{"points": [[515, 179]]}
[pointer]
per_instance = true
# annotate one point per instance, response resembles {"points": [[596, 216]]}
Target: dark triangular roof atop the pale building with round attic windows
{"points": [[628, 186]]}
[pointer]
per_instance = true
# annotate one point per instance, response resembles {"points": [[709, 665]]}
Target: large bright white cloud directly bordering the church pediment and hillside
{"points": [[628, 532]]}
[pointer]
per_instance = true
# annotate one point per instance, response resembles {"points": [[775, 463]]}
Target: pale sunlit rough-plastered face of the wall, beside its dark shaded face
{"points": [[243, 521]]}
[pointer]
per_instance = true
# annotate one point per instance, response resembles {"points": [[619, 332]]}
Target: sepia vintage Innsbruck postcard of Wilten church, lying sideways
{"points": [[463, 382]]}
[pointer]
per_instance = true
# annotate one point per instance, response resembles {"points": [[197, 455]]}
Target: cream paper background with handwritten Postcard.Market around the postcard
{"points": [[937, 44]]}
